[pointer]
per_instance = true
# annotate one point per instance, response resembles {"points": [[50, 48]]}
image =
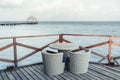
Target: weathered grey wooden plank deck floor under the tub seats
{"points": [[36, 72]]}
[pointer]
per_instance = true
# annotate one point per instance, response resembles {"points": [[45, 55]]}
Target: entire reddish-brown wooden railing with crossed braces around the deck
{"points": [[61, 38]]}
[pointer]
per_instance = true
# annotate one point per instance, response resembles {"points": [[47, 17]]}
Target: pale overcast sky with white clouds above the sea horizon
{"points": [[60, 10]]}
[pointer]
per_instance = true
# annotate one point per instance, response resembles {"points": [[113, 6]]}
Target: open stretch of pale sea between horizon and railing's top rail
{"points": [[111, 28]]}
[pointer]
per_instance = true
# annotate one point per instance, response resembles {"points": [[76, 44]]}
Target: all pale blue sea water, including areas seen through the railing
{"points": [[106, 28]]}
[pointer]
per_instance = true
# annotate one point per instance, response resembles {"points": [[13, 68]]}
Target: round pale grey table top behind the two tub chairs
{"points": [[64, 46]]}
